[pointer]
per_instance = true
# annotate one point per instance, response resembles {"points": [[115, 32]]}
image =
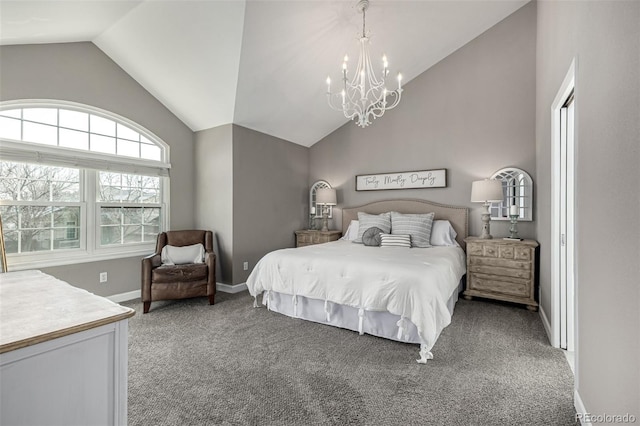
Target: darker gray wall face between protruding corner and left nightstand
{"points": [[270, 195]]}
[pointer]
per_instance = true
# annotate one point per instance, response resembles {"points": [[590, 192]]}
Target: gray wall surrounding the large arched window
{"points": [[80, 72]]}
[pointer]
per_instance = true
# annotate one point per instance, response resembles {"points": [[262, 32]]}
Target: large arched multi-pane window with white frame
{"points": [[78, 184]]}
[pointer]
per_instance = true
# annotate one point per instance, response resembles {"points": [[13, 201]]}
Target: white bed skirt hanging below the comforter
{"points": [[377, 323]]}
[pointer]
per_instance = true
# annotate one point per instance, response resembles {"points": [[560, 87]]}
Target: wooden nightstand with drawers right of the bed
{"points": [[502, 270]]}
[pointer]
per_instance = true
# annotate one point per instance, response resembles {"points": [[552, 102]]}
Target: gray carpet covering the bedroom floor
{"points": [[232, 364]]}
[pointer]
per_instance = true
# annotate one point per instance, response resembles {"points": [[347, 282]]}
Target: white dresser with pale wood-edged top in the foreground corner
{"points": [[63, 353]]}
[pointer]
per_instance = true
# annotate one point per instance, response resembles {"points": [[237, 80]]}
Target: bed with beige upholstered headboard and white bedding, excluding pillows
{"points": [[397, 293]]}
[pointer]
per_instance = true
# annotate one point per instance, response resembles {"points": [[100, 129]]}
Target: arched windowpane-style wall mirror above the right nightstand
{"points": [[517, 189]]}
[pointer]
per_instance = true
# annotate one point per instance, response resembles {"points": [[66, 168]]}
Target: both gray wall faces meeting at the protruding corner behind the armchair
{"points": [[252, 191]]}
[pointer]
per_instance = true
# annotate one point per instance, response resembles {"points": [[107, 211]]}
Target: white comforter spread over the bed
{"points": [[412, 283]]}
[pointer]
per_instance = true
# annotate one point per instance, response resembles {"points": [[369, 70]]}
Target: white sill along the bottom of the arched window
{"points": [[20, 264]]}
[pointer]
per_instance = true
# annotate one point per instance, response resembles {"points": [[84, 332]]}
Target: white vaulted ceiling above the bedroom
{"points": [[261, 64]]}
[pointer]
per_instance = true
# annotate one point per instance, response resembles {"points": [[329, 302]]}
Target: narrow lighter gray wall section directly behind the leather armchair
{"points": [[214, 192]]}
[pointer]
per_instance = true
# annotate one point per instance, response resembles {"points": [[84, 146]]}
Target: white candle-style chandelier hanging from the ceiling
{"points": [[364, 98]]}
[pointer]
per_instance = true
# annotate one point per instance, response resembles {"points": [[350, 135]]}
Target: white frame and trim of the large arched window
{"points": [[89, 163]]}
